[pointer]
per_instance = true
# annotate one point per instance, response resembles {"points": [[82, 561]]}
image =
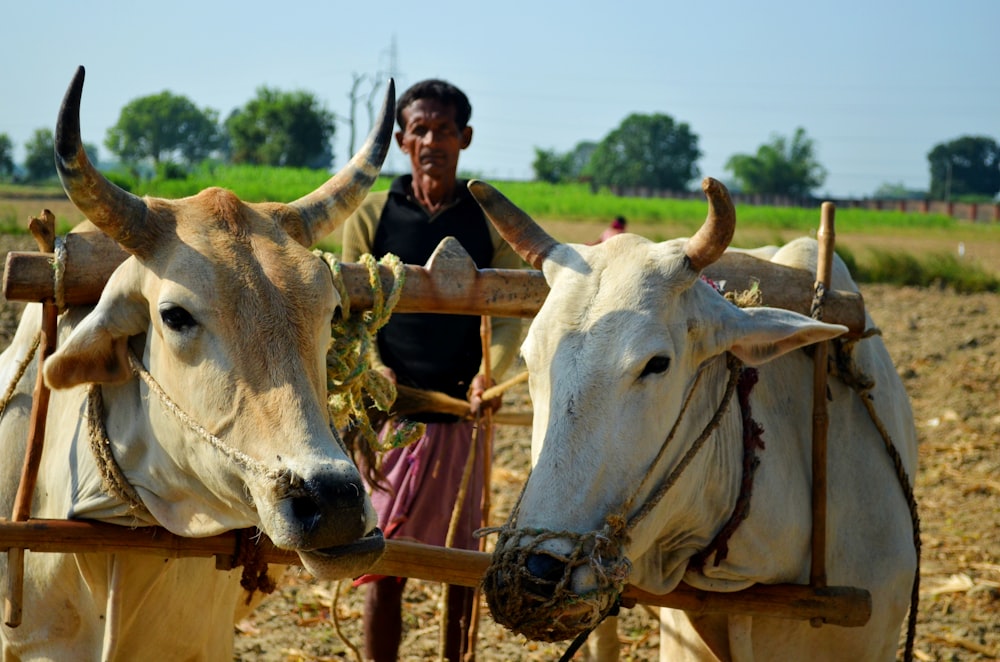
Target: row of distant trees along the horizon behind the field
{"points": [[168, 135]]}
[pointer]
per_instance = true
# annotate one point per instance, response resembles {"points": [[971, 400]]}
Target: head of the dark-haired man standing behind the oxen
{"points": [[433, 118]]}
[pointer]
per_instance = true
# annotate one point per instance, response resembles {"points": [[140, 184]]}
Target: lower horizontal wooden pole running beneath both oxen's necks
{"points": [[834, 605]]}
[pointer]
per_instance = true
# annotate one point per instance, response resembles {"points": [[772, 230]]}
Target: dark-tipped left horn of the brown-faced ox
{"points": [[121, 215]]}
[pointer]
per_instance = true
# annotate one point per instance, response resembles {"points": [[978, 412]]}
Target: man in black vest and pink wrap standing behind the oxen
{"points": [[430, 350]]}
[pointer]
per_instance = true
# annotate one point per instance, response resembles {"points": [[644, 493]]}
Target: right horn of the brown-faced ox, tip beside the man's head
{"points": [[329, 205]]}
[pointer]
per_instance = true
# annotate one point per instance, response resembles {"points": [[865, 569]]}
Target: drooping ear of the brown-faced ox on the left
{"points": [[97, 349]]}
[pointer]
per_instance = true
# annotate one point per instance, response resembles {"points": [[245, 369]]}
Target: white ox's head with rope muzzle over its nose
{"points": [[612, 355]]}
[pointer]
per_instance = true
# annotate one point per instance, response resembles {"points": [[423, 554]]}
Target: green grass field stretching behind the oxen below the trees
{"points": [[880, 246]]}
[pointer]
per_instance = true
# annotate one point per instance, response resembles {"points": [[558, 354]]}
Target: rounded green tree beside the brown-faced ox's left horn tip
{"points": [[164, 128]]}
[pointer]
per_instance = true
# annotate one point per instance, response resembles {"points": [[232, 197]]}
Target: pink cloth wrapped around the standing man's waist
{"points": [[424, 479]]}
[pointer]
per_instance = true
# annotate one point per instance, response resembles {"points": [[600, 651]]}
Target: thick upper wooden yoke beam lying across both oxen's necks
{"points": [[449, 283]]}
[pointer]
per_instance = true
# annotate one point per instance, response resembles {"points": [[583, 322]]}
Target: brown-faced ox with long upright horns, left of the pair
{"points": [[225, 306]]}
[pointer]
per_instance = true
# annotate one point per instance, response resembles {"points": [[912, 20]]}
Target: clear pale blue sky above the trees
{"points": [[875, 83]]}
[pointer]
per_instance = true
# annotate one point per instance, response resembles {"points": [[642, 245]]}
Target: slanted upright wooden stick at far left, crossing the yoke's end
{"points": [[43, 229]]}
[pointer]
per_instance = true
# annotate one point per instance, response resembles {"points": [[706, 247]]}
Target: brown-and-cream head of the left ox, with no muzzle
{"points": [[225, 306]]}
